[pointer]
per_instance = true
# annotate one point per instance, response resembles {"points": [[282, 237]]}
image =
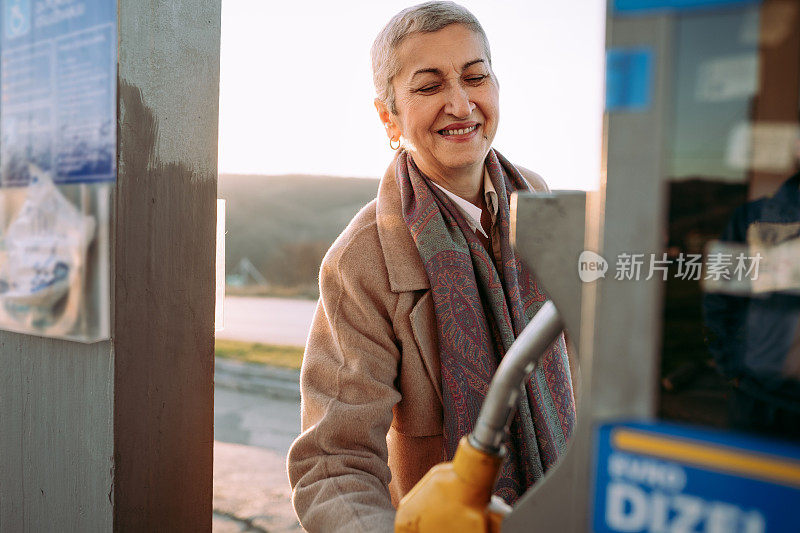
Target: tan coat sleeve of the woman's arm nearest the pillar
{"points": [[338, 466]]}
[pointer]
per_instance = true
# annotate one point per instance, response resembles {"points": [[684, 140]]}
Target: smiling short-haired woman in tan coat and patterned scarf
{"points": [[422, 294]]}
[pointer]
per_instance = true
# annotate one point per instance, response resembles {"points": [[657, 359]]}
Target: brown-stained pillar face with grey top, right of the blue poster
{"points": [[164, 265]]}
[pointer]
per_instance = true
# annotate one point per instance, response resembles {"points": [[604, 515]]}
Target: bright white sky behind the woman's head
{"points": [[296, 86]]}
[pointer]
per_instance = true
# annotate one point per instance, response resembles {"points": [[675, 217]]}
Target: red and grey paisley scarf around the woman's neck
{"points": [[479, 312]]}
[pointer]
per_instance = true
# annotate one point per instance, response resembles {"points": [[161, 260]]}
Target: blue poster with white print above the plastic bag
{"points": [[58, 66]]}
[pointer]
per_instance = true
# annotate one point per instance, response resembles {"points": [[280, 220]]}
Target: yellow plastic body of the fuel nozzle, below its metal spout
{"points": [[453, 496]]}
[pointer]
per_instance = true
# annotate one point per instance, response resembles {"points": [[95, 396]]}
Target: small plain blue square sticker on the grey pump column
{"points": [[629, 79]]}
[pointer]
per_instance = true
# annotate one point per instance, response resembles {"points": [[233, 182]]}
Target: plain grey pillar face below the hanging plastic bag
{"points": [[56, 441]]}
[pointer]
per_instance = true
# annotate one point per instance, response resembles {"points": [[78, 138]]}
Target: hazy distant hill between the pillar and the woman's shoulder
{"points": [[284, 224]]}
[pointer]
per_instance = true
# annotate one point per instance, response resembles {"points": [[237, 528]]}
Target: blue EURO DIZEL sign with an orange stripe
{"points": [[657, 477]]}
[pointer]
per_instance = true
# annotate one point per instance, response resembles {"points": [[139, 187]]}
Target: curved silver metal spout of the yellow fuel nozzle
{"points": [[517, 364]]}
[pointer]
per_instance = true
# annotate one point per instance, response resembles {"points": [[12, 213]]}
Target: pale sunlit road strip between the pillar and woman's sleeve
{"points": [[267, 320]]}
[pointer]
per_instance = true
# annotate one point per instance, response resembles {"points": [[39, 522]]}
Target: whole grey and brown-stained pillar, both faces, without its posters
{"points": [[118, 435]]}
